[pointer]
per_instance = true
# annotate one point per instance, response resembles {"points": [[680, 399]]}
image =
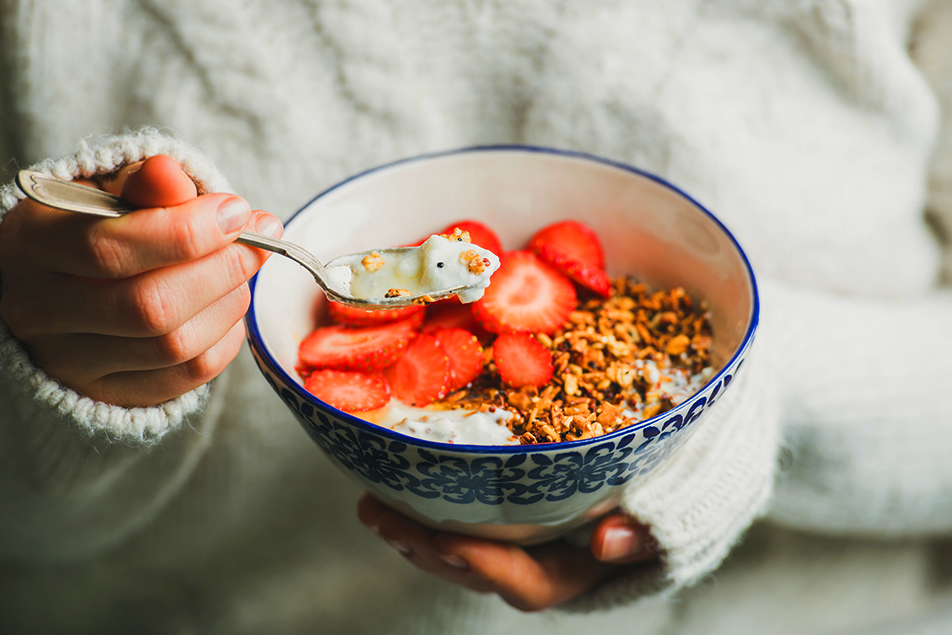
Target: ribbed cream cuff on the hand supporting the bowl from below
{"points": [[702, 501]]}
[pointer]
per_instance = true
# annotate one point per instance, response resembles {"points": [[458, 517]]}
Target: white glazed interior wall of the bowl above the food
{"points": [[648, 229]]}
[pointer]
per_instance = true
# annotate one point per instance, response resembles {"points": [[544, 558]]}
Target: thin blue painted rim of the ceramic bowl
{"points": [[255, 338]]}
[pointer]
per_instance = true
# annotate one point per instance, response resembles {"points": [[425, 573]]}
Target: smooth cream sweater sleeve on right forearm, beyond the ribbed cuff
{"points": [[867, 412]]}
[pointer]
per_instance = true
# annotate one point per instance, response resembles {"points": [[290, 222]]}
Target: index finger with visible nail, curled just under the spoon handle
{"points": [[144, 240]]}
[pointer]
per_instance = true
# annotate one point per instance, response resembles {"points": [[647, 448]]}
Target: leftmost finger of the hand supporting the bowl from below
{"points": [[414, 542]]}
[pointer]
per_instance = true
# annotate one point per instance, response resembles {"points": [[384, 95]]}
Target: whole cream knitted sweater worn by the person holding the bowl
{"points": [[807, 127]]}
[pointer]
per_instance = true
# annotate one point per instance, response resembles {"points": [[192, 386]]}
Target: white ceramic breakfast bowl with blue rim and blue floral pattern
{"points": [[526, 493]]}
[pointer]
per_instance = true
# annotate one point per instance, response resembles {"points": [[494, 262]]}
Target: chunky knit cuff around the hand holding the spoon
{"points": [[137, 425]]}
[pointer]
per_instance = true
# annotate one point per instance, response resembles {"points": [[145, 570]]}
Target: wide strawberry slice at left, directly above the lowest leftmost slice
{"points": [[366, 349]]}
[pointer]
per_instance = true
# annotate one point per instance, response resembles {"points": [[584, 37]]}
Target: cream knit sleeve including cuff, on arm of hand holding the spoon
{"points": [[72, 470]]}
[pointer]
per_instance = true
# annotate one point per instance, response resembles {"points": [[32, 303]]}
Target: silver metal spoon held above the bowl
{"points": [[73, 197]]}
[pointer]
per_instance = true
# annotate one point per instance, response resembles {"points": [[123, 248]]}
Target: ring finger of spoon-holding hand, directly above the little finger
{"points": [[77, 359]]}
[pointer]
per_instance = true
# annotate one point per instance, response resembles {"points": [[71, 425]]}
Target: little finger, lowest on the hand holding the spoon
{"points": [[140, 389]]}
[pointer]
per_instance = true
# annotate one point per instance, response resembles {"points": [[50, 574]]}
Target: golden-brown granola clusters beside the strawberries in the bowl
{"points": [[611, 360]]}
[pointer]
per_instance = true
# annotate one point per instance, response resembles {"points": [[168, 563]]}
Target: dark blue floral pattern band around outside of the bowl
{"points": [[510, 475]]}
